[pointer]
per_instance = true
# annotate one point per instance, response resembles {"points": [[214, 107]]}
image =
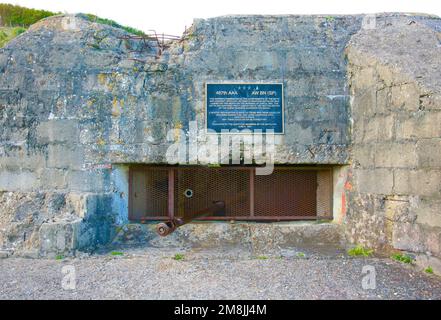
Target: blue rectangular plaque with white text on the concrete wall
{"points": [[251, 106]]}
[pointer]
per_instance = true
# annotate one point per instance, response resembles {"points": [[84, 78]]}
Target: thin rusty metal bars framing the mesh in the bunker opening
{"points": [[251, 217]]}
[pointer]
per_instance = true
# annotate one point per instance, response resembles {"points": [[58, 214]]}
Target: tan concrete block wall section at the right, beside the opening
{"points": [[394, 189]]}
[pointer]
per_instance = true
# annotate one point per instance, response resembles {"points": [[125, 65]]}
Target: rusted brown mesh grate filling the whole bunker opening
{"points": [[287, 194]]}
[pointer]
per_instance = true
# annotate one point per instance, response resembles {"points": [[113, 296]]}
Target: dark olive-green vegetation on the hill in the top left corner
{"points": [[14, 16]]}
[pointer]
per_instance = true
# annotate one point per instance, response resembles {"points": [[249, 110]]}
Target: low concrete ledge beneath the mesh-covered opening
{"points": [[259, 237]]}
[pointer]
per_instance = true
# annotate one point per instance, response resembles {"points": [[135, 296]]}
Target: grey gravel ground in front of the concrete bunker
{"points": [[151, 273]]}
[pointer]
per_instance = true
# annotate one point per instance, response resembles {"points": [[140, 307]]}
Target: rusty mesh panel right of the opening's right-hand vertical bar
{"points": [[286, 193]]}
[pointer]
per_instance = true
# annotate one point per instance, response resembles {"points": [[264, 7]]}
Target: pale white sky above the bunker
{"points": [[173, 16]]}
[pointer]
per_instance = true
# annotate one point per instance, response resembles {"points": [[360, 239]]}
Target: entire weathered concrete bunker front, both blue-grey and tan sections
{"points": [[78, 101]]}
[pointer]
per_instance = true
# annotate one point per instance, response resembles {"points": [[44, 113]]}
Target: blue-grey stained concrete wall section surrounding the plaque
{"points": [[75, 98]]}
